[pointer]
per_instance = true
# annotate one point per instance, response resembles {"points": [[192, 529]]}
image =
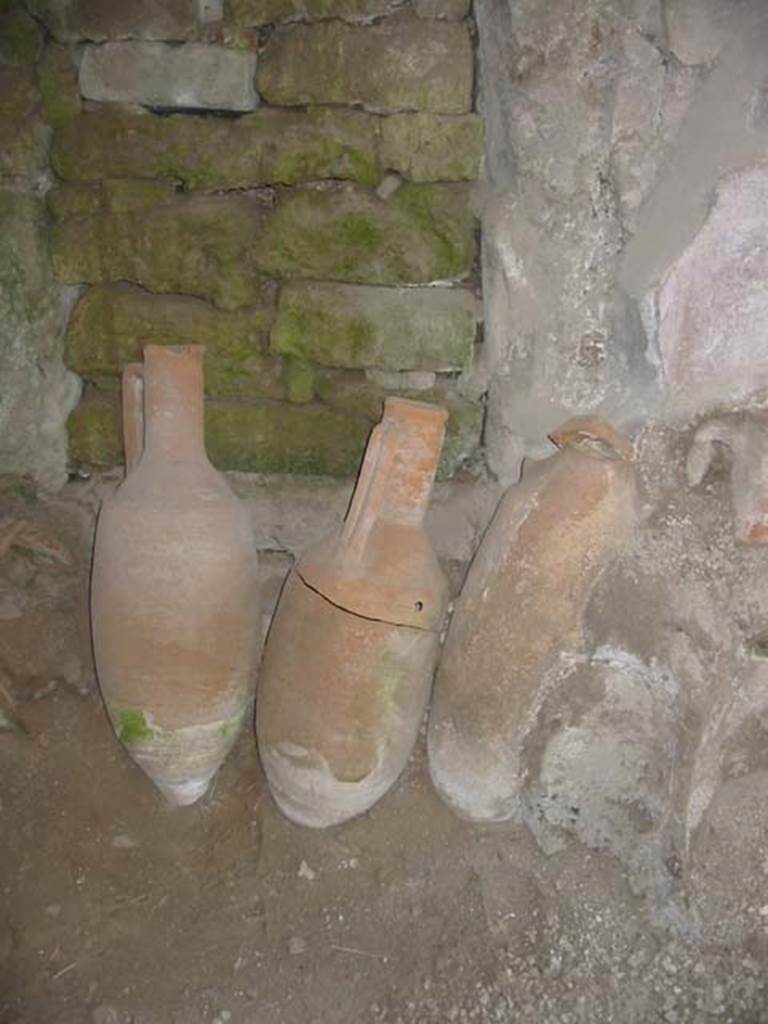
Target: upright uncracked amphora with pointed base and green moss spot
{"points": [[175, 589]]}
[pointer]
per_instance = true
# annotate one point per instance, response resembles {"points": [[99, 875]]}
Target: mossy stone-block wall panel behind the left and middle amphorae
{"points": [[287, 183]]}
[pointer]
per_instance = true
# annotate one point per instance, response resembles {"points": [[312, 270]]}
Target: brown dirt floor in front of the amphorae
{"points": [[115, 909]]}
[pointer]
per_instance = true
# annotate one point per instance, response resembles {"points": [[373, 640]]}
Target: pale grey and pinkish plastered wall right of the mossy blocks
{"points": [[613, 126]]}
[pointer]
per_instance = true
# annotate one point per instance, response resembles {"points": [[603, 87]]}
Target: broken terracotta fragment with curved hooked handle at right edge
{"points": [[746, 436]]}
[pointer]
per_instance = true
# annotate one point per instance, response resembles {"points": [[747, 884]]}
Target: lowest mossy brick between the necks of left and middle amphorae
{"points": [[279, 438]]}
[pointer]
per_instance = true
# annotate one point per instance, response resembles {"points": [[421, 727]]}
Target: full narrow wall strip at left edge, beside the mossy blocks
{"points": [[36, 392]]}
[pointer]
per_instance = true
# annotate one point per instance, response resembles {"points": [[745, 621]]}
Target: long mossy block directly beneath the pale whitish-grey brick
{"points": [[270, 147]]}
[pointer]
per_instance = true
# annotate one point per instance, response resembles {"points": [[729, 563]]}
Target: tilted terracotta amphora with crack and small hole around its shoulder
{"points": [[352, 651]]}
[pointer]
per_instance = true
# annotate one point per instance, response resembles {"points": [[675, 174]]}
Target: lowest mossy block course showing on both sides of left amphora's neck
{"points": [[272, 438]]}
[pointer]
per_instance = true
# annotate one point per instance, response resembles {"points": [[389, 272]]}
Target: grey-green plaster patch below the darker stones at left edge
{"points": [[37, 392]]}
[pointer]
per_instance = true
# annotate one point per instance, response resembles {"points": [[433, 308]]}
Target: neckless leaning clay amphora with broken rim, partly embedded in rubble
{"points": [[521, 607]]}
